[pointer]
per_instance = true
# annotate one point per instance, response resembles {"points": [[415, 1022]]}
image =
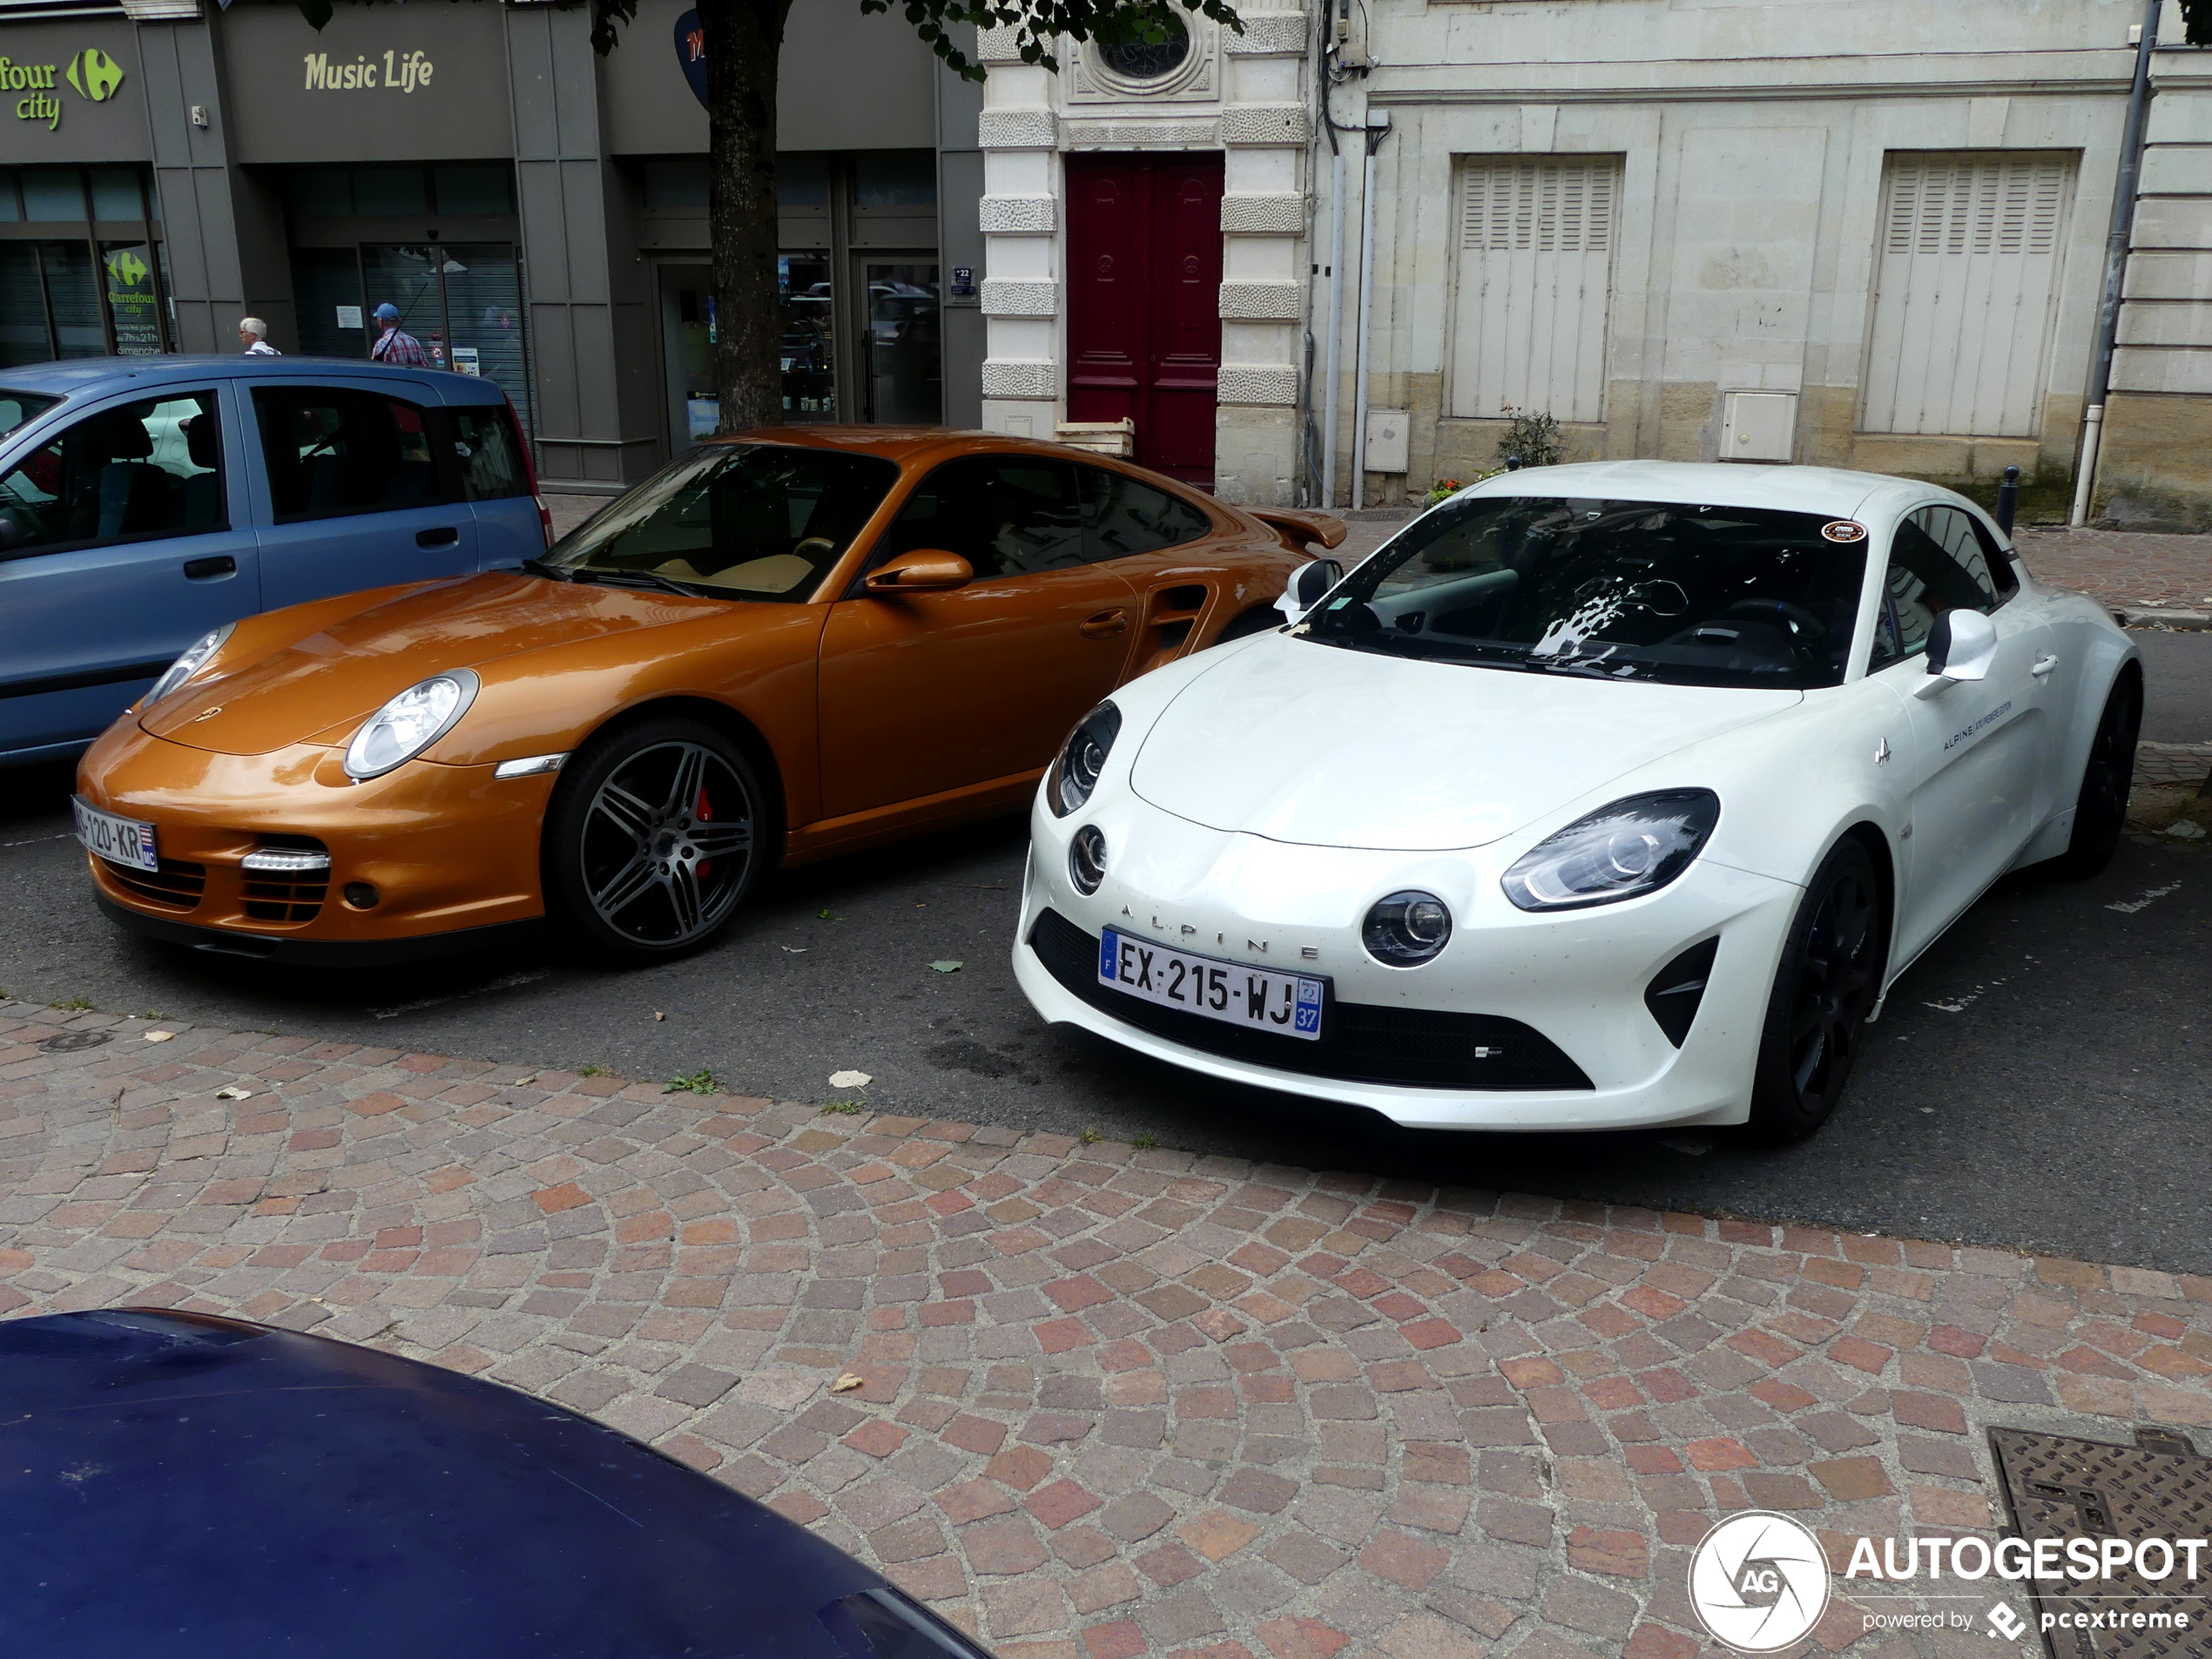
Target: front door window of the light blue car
{"points": [[140, 470]]}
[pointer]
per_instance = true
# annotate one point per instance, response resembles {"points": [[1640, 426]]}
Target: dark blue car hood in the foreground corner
{"points": [[185, 1485]]}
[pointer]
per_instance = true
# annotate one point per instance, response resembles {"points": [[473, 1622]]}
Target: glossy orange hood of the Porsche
{"points": [[348, 669]]}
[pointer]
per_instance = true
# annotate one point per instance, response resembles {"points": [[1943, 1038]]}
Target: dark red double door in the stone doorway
{"points": [[1145, 302]]}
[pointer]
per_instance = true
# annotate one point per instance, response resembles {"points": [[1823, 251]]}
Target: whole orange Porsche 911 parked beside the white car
{"points": [[780, 649]]}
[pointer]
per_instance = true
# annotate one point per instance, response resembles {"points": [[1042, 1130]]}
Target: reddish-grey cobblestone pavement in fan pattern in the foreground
{"points": [[1114, 1401]]}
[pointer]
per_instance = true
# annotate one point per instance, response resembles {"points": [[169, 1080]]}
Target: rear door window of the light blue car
{"points": [[335, 452]]}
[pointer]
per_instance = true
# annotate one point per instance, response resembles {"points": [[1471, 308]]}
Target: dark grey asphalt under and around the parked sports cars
{"points": [[2038, 1078]]}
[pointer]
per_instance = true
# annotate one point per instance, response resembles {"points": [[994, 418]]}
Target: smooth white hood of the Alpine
{"points": [[1342, 749]]}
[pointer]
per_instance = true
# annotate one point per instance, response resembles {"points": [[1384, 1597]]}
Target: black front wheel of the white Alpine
{"points": [[1824, 990]]}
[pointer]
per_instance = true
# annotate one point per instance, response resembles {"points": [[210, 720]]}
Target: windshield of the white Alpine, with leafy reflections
{"points": [[1695, 596]]}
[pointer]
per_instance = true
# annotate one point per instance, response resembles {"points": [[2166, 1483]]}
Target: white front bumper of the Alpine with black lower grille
{"points": [[1523, 1023]]}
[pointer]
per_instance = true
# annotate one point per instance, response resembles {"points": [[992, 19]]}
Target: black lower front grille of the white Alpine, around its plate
{"points": [[1366, 1045]]}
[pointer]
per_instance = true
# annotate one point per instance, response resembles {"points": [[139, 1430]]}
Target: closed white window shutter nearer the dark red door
{"points": [[1536, 280]]}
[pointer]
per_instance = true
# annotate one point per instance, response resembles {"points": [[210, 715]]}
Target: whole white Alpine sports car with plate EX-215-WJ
{"points": [[1607, 795]]}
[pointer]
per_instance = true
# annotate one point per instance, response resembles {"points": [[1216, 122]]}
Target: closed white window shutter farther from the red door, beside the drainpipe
{"points": [[1963, 293]]}
